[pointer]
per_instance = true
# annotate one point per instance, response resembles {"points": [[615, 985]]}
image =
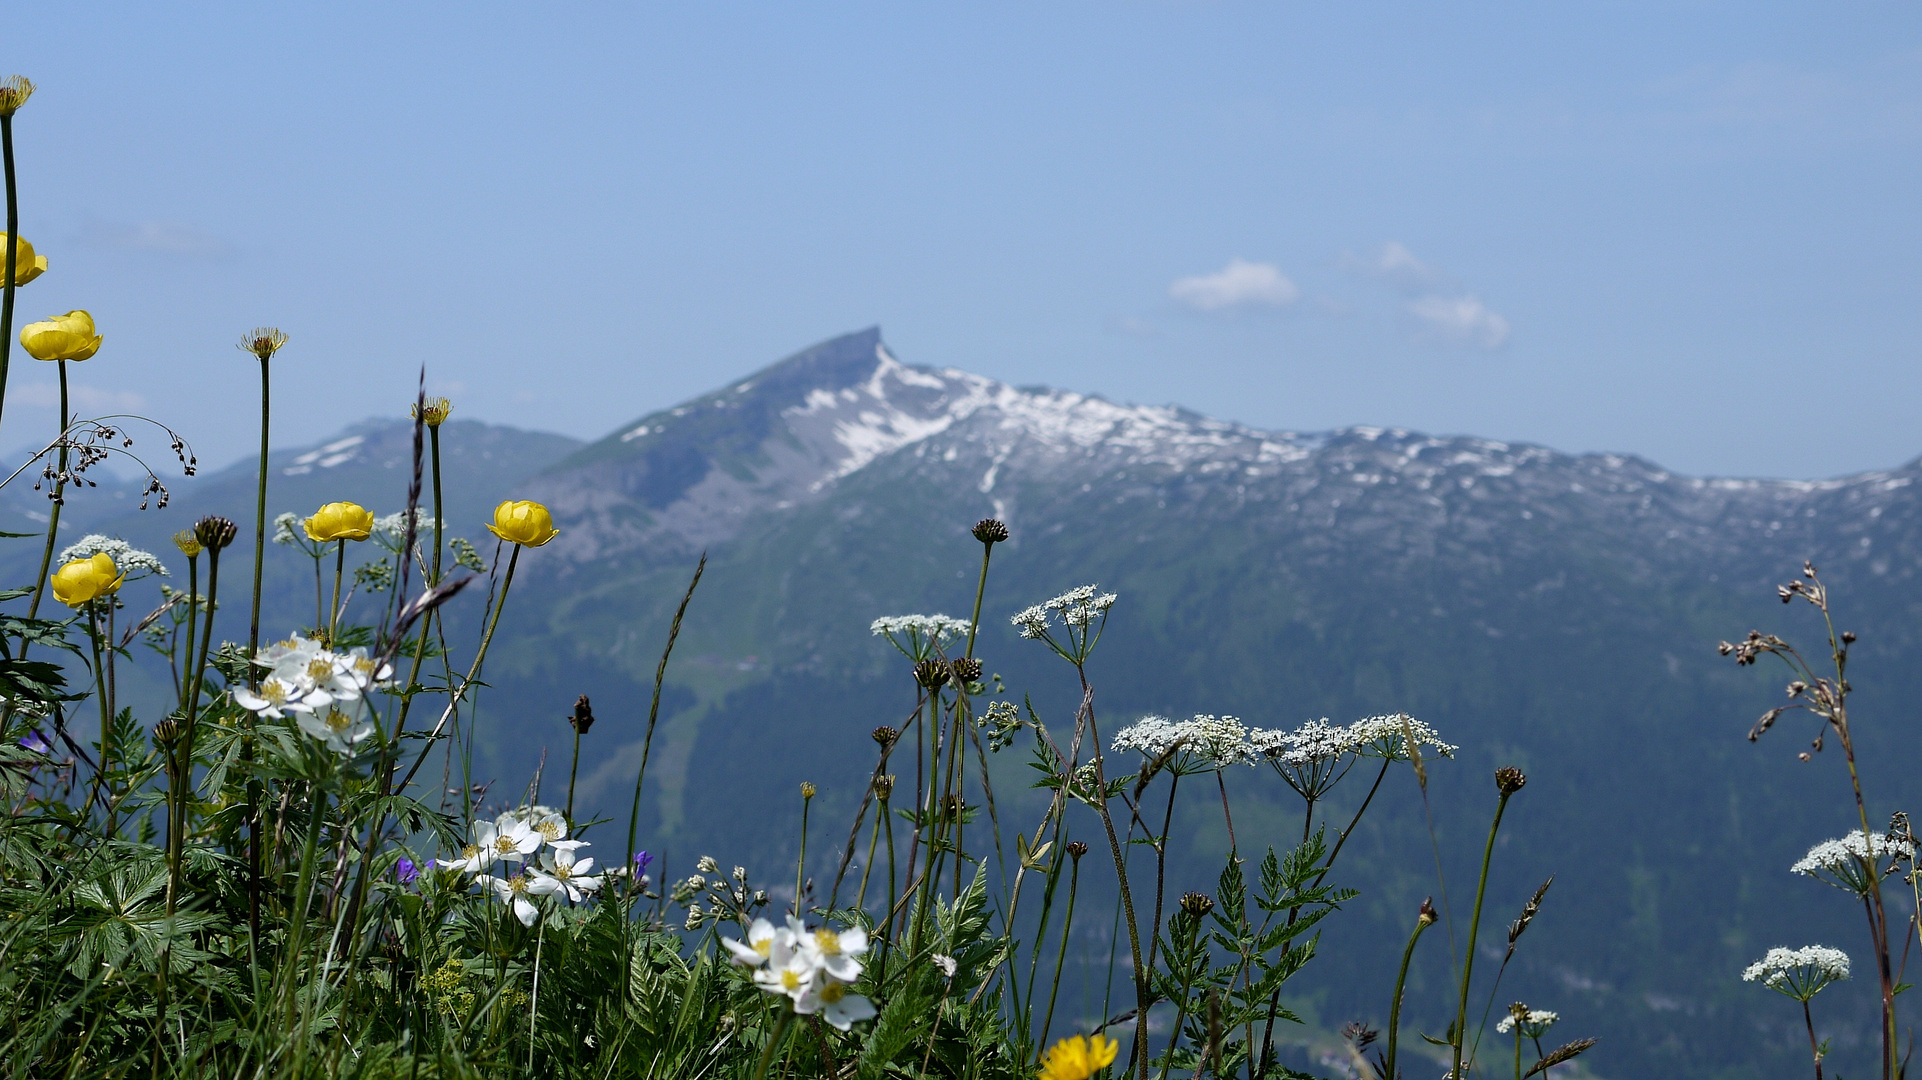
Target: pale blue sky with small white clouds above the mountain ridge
{"points": [[1675, 230]]}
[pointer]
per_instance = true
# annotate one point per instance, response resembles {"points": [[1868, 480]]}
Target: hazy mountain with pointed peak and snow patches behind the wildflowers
{"points": [[1542, 610]]}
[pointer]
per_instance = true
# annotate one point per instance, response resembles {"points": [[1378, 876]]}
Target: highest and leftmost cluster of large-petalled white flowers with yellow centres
{"points": [[312, 683]]}
